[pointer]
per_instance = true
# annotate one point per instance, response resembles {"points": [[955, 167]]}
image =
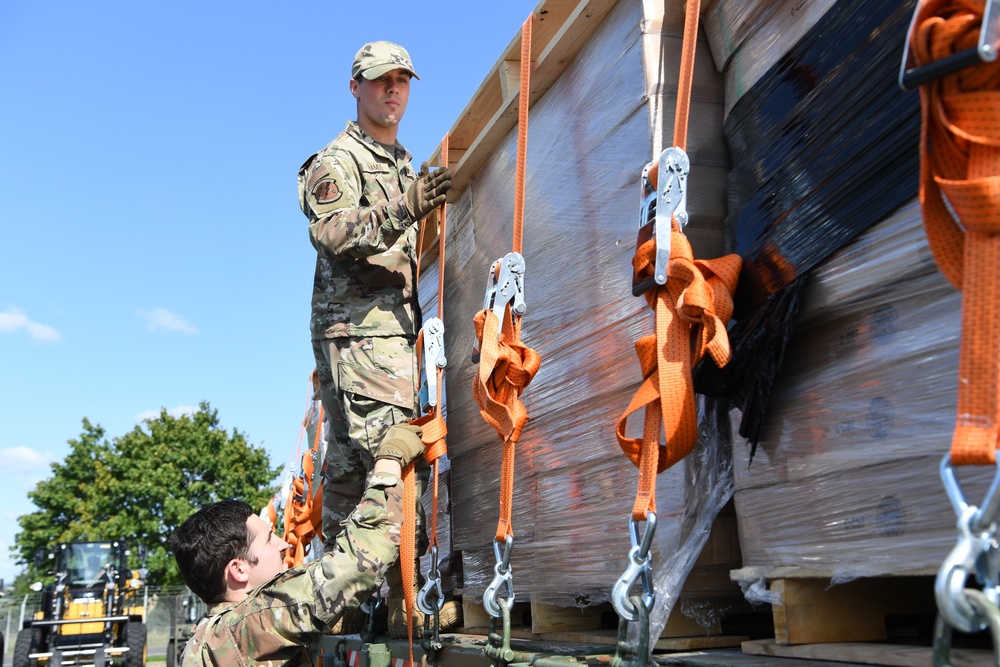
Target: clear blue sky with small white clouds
{"points": [[153, 252]]}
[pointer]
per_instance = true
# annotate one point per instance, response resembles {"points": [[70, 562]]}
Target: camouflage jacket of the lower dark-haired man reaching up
{"points": [[280, 622]]}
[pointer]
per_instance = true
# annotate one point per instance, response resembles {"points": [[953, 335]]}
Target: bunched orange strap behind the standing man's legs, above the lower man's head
{"points": [[304, 506]]}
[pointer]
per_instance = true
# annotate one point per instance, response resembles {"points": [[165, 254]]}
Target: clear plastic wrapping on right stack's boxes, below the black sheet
{"points": [[845, 479]]}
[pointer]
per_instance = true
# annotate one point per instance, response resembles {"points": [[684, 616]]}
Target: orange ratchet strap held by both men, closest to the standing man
{"points": [[430, 348]]}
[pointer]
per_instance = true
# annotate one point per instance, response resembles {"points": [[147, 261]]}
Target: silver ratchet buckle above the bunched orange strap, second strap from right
{"points": [[657, 205]]}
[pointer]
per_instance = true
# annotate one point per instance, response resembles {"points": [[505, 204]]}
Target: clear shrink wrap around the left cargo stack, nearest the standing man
{"points": [[589, 137]]}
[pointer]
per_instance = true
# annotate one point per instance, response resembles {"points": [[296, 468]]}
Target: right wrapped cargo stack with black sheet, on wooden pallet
{"points": [[842, 515]]}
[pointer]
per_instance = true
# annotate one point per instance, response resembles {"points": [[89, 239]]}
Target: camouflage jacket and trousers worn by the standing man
{"points": [[365, 314]]}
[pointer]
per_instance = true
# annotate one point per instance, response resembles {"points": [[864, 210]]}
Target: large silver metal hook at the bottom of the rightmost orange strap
{"points": [[971, 555]]}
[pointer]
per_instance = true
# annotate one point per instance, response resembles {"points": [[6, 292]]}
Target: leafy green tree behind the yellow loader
{"points": [[139, 487]]}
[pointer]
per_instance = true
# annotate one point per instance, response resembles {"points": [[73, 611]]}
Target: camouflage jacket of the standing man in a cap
{"points": [[352, 194]]}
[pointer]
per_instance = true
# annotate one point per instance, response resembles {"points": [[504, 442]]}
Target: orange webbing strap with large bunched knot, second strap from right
{"points": [[692, 310]]}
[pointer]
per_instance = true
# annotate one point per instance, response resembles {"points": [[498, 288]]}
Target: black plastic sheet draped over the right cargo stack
{"points": [[824, 146]]}
